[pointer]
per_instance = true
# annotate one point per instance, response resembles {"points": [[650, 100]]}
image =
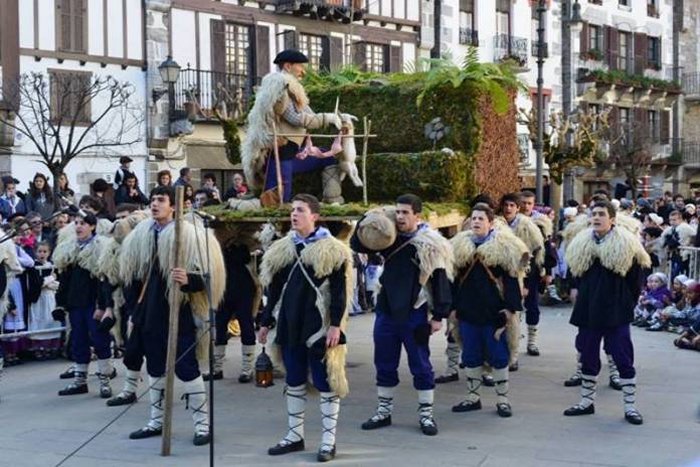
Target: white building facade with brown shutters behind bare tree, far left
{"points": [[80, 39]]}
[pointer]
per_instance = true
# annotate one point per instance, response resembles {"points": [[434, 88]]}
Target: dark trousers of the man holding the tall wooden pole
{"points": [[155, 347]]}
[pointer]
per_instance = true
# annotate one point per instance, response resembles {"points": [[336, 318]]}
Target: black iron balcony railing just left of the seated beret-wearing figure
{"points": [[198, 92]]}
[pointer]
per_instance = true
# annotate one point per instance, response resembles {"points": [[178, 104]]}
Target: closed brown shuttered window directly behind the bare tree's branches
{"points": [[70, 97]]}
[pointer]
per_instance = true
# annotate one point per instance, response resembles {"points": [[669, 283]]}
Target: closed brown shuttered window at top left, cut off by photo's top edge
{"points": [[71, 26]]}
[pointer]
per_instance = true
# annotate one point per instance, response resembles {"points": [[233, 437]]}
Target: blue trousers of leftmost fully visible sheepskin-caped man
{"points": [[84, 332]]}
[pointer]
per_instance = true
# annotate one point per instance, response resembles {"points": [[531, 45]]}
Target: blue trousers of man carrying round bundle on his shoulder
{"points": [[389, 336]]}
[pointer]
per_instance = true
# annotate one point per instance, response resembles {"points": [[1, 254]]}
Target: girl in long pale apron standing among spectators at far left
{"points": [[42, 298]]}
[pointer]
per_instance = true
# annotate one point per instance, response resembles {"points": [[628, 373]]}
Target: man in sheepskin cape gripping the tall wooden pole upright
{"points": [[148, 260]]}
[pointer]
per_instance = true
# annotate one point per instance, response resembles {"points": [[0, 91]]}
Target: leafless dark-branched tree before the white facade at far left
{"points": [[66, 115]]}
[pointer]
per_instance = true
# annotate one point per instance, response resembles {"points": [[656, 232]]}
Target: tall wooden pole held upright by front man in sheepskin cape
{"points": [[174, 300]]}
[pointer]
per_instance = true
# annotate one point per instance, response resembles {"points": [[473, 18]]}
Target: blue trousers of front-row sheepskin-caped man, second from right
{"points": [[476, 339]]}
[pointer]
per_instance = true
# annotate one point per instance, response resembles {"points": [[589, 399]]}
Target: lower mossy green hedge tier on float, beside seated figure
{"points": [[436, 176]]}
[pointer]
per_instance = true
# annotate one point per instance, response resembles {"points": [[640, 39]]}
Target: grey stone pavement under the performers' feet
{"points": [[37, 428]]}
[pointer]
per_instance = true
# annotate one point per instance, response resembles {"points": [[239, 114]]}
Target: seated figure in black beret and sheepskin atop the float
{"points": [[281, 99]]}
